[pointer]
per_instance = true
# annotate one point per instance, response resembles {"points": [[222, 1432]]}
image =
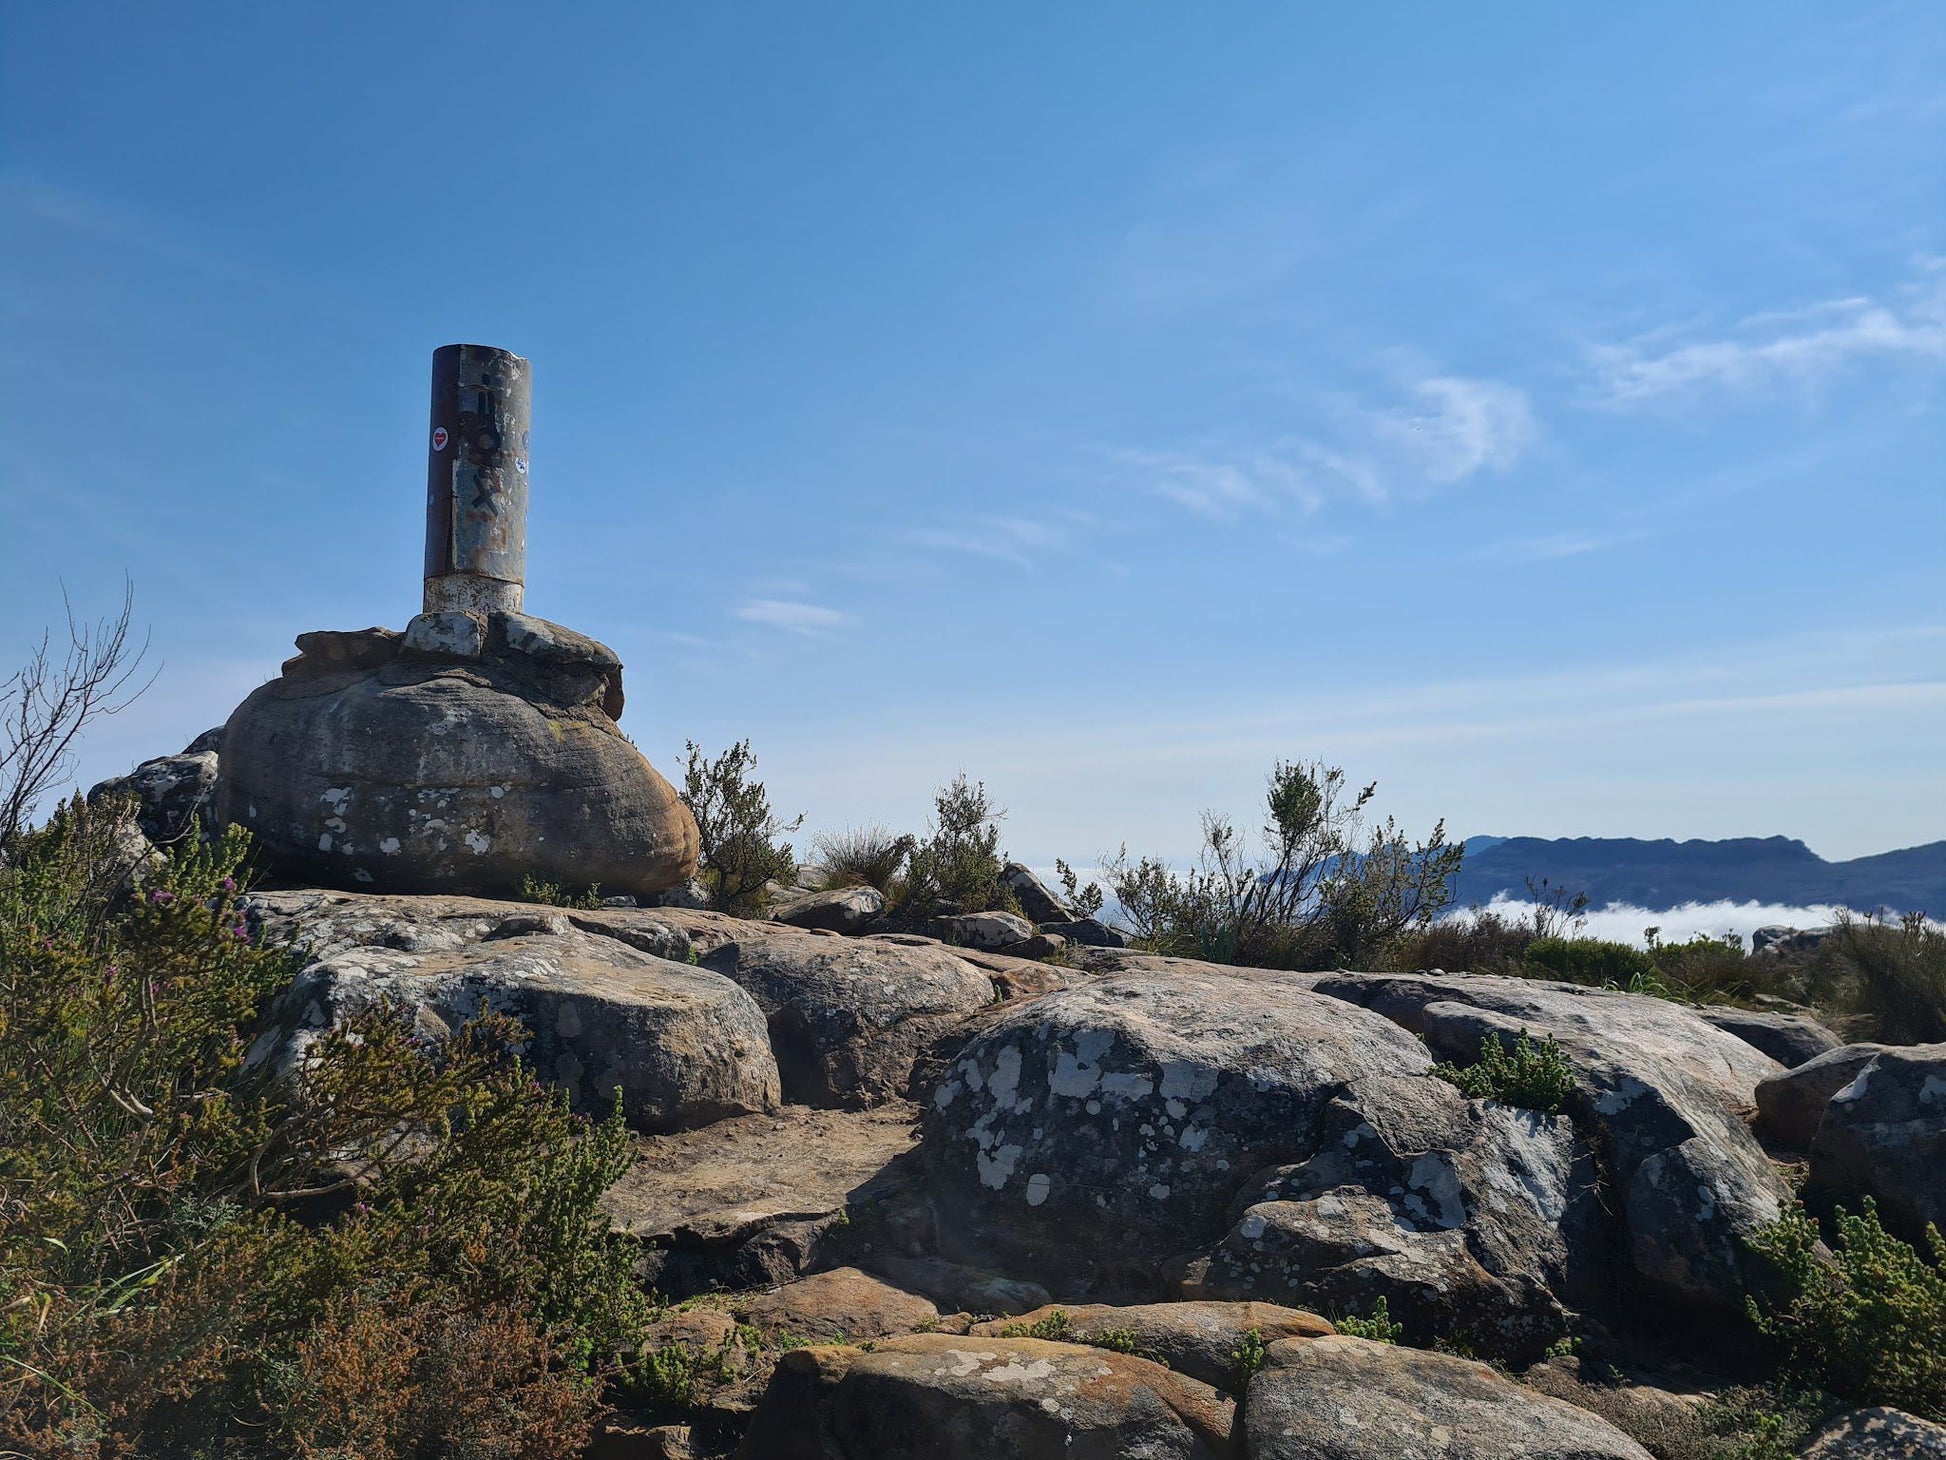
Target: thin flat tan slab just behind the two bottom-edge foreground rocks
{"points": [[1202, 1340]]}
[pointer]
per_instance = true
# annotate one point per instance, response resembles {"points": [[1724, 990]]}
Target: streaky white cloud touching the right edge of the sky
{"points": [[1799, 347]]}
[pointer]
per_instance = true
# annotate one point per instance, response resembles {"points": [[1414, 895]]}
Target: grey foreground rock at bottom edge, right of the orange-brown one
{"points": [[1342, 1399]]}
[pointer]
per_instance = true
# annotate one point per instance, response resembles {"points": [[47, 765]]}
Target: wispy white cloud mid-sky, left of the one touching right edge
{"points": [[1449, 431]]}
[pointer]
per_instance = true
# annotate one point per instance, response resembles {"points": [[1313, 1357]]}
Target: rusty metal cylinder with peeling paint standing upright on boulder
{"points": [[478, 480]]}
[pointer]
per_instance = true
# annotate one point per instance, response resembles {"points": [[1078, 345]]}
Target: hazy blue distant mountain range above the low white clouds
{"points": [[1661, 875]]}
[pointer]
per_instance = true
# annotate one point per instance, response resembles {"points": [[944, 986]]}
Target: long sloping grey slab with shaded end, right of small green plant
{"points": [[1665, 1087]]}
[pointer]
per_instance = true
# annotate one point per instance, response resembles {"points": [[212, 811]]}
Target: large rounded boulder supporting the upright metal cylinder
{"points": [[466, 756]]}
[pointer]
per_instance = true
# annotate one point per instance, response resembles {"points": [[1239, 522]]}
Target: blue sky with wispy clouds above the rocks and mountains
{"points": [[1532, 408]]}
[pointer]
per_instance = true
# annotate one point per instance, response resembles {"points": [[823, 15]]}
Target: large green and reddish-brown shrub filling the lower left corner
{"points": [[400, 1255]]}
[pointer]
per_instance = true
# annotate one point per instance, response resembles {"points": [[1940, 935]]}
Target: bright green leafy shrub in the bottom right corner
{"points": [[1865, 1319]]}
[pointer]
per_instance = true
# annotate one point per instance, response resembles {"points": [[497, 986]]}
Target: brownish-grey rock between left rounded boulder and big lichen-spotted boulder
{"points": [[849, 1017]]}
